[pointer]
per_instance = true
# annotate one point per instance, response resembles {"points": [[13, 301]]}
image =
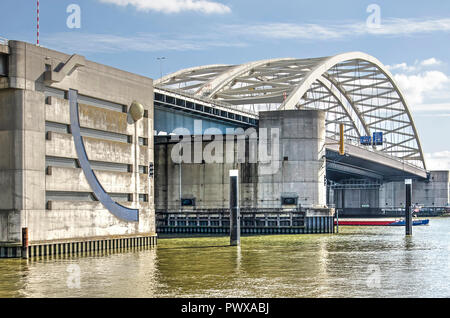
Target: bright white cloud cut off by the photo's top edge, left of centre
{"points": [[174, 6]]}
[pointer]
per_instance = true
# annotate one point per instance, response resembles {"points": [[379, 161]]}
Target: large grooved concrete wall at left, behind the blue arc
{"points": [[25, 112]]}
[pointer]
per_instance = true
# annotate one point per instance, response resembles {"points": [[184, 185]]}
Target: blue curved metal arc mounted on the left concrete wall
{"points": [[121, 212]]}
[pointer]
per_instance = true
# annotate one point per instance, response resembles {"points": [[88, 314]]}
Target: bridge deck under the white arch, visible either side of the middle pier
{"points": [[359, 160]]}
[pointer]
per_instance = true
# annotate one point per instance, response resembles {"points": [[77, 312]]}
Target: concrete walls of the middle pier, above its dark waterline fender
{"points": [[301, 137]]}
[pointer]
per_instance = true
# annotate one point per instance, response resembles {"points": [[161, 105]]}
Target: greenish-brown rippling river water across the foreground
{"points": [[358, 262]]}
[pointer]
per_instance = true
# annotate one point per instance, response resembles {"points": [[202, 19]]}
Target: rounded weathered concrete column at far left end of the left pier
{"points": [[22, 164]]}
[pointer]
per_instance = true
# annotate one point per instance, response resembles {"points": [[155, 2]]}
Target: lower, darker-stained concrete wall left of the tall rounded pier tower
{"points": [[208, 183]]}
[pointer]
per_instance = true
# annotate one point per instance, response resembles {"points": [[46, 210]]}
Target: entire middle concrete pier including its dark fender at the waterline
{"points": [[285, 179]]}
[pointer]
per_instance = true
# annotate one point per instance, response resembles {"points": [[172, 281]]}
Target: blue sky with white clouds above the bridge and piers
{"points": [[410, 37]]}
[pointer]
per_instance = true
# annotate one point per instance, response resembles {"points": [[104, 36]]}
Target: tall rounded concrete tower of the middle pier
{"points": [[301, 158]]}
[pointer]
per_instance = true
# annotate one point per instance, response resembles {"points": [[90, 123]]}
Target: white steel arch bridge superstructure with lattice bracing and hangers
{"points": [[354, 89]]}
